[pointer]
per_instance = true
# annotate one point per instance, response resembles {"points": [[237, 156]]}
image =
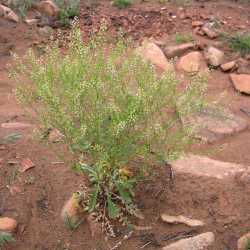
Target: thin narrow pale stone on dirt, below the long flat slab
{"points": [[181, 220]]}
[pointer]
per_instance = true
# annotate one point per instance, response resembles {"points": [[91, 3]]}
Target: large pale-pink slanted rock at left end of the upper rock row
{"points": [[151, 52]]}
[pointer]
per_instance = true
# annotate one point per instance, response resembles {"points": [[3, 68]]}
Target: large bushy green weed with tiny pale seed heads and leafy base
{"points": [[113, 111]]}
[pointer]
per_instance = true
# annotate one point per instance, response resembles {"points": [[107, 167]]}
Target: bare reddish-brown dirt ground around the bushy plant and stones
{"points": [[44, 189]]}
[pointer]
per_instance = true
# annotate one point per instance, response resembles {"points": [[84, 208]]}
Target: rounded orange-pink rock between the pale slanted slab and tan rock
{"points": [[192, 62]]}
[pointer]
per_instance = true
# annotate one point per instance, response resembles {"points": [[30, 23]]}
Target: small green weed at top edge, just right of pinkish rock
{"points": [[68, 10]]}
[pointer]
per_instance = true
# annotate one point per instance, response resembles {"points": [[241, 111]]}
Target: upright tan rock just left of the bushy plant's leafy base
{"points": [[72, 209]]}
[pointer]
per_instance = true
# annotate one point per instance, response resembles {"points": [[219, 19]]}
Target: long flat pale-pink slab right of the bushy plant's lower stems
{"points": [[200, 166]]}
